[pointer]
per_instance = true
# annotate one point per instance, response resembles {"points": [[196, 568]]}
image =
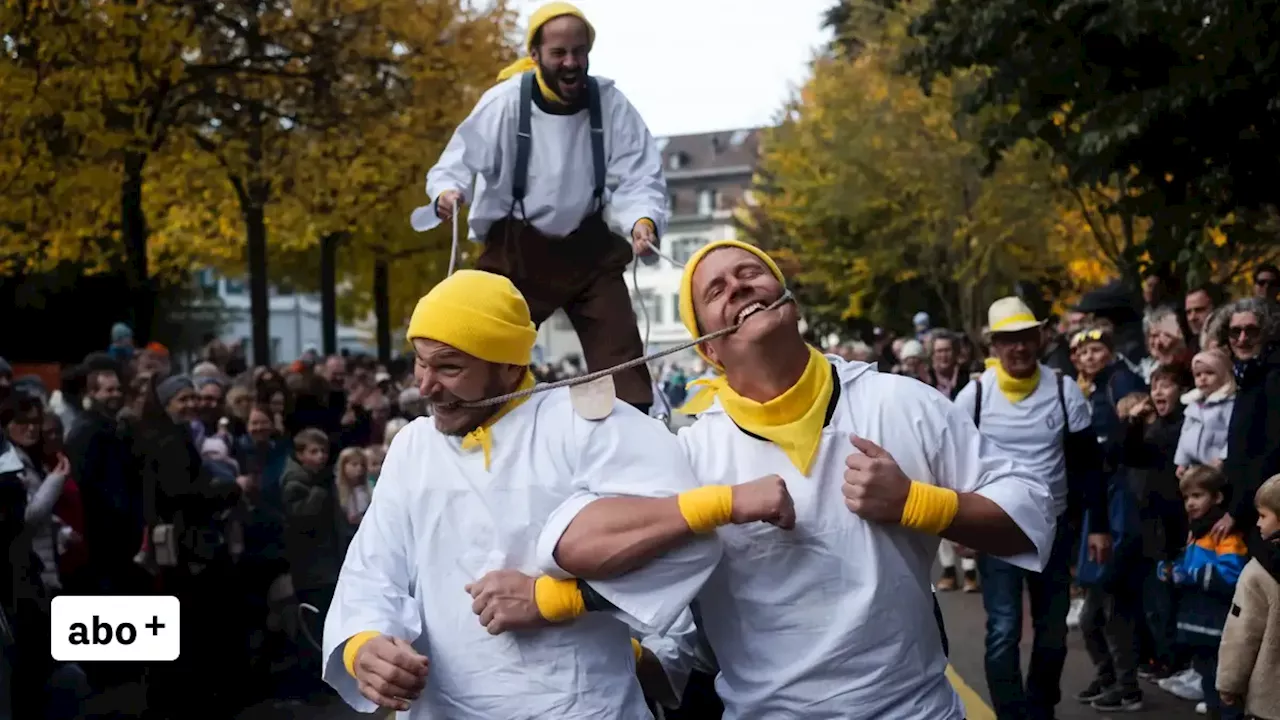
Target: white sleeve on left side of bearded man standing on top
{"points": [[474, 149]]}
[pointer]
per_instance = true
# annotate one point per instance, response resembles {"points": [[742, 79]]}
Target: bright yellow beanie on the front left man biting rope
{"points": [[481, 315]]}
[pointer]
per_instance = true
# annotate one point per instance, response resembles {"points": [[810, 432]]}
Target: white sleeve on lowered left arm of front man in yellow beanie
{"points": [[376, 585]]}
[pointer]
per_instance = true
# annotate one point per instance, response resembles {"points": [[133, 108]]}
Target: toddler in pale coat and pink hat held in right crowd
{"points": [[1209, 412]]}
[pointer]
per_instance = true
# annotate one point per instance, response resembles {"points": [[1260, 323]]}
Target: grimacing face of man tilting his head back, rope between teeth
{"points": [[730, 286]]}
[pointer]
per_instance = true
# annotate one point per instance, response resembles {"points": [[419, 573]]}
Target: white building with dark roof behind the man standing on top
{"points": [[708, 176]]}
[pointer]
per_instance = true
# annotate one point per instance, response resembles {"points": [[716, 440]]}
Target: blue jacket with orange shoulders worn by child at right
{"points": [[1206, 575]]}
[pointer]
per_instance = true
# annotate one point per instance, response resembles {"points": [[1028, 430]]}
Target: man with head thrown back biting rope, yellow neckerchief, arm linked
{"points": [[833, 619]]}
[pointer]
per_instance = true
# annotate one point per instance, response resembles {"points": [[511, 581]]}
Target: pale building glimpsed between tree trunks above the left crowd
{"points": [[295, 321]]}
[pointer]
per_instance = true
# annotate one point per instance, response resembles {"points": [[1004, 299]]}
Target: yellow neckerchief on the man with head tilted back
{"points": [[792, 421]]}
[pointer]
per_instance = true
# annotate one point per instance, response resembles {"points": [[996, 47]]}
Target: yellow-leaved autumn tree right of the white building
{"points": [[876, 193]]}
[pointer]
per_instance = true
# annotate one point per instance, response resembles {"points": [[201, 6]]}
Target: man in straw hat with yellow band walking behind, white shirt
{"points": [[1035, 414]]}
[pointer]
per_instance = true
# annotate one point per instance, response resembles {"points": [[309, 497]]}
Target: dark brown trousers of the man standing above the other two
{"points": [[583, 275]]}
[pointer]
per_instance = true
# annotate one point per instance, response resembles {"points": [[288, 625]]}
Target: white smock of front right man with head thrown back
{"points": [[835, 619]]}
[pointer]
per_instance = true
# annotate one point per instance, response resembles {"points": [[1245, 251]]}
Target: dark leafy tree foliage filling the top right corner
{"points": [[1173, 101]]}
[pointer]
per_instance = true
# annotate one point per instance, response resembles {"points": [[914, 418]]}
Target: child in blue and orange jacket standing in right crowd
{"points": [[1205, 577]]}
